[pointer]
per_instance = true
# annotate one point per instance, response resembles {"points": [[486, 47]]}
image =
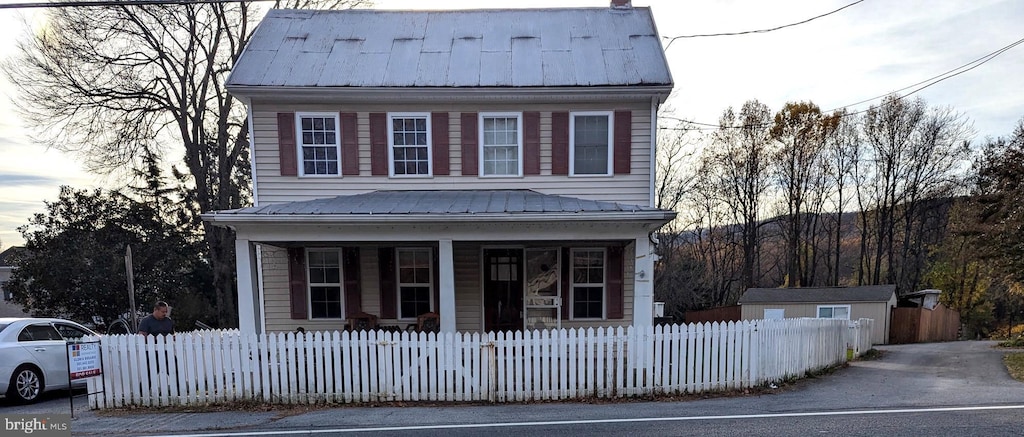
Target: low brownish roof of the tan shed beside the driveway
{"points": [[814, 295]]}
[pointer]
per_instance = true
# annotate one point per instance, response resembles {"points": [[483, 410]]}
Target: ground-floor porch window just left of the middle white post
{"points": [[415, 282]]}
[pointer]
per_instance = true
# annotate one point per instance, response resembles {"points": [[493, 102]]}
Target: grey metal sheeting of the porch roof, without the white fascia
{"points": [[442, 203]]}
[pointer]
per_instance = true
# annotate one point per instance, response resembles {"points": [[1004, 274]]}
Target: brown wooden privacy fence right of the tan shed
{"points": [[923, 325]]}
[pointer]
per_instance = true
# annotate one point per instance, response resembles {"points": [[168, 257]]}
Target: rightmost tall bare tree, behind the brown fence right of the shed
{"points": [[912, 157]]}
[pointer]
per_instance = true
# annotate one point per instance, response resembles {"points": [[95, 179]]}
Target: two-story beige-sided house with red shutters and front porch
{"points": [[495, 167]]}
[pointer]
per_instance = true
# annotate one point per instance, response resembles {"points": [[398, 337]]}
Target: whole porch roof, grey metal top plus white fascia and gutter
{"points": [[405, 206]]}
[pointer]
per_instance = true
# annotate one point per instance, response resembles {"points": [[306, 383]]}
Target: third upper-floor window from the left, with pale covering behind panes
{"points": [[501, 145]]}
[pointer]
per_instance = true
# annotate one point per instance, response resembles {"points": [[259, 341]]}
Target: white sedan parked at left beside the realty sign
{"points": [[34, 356]]}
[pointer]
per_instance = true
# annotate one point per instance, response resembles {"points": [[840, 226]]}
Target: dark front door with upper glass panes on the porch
{"points": [[502, 290]]}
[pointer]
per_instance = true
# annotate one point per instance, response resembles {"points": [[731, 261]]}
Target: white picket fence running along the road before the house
{"points": [[372, 367]]}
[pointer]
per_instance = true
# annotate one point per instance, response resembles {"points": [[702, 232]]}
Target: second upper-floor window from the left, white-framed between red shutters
{"points": [[410, 145]]}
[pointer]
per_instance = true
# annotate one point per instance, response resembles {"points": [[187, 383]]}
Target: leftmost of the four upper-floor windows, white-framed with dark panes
{"points": [[320, 151]]}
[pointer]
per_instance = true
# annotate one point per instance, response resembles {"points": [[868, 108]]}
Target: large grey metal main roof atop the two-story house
{"points": [[554, 48]]}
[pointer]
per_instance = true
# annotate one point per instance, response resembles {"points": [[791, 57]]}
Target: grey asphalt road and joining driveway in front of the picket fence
{"points": [[956, 389]]}
